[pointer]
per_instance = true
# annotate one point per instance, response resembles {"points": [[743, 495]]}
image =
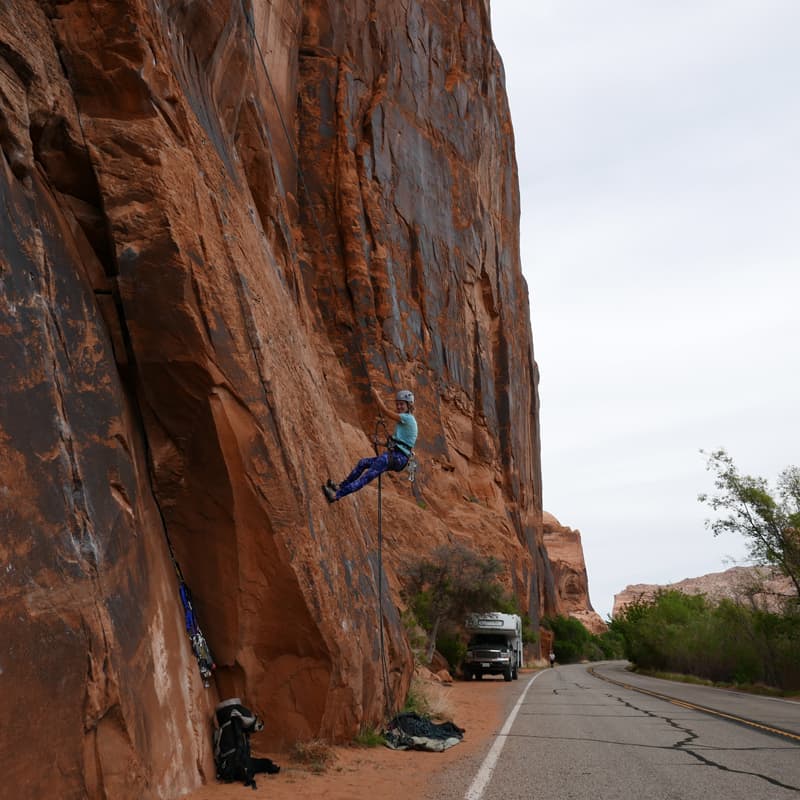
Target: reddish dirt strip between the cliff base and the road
{"points": [[363, 773]]}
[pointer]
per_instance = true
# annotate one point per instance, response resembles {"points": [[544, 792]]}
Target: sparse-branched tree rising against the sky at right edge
{"points": [[769, 522]]}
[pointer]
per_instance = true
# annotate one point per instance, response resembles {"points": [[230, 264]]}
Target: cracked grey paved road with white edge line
{"points": [[577, 737]]}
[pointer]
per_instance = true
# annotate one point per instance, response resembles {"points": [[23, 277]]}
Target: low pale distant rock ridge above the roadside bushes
{"points": [[758, 585]]}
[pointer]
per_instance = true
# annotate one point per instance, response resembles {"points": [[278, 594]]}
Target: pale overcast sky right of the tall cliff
{"points": [[658, 146]]}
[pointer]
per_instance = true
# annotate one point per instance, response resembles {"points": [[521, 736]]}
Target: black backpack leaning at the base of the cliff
{"points": [[234, 724]]}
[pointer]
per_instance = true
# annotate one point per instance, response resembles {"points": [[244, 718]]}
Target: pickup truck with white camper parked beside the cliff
{"points": [[494, 647]]}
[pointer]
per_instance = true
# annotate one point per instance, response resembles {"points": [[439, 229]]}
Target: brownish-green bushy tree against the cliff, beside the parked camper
{"points": [[448, 585]]}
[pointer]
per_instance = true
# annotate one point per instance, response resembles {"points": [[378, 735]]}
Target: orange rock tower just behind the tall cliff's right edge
{"points": [[565, 551]]}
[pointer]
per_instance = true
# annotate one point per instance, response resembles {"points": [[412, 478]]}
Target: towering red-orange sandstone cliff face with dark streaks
{"points": [[222, 226]]}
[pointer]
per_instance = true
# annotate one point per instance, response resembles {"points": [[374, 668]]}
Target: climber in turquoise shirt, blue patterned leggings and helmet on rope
{"points": [[399, 449]]}
